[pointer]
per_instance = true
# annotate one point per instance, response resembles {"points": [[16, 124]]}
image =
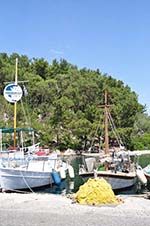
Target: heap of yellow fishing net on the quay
{"points": [[95, 192]]}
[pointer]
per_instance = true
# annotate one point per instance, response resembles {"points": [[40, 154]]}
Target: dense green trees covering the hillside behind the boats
{"points": [[64, 103]]}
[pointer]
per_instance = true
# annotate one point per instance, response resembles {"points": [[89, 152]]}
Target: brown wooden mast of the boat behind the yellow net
{"points": [[106, 123]]}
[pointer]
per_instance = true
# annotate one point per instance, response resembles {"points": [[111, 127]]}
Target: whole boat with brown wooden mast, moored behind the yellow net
{"points": [[115, 167]]}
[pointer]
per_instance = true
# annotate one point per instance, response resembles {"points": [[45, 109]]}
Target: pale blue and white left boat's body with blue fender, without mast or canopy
{"points": [[35, 173]]}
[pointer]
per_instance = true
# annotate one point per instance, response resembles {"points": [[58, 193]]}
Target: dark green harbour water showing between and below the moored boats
{"points": [[72, 185]]}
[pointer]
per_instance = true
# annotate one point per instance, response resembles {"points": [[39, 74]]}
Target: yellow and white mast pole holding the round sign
{"points": [[15, 104]]}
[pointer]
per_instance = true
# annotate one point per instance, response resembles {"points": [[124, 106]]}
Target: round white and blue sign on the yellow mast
{"points": [[13, 93]]}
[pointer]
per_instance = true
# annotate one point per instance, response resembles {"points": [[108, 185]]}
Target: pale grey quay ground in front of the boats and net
{"points": [[56, 210]]}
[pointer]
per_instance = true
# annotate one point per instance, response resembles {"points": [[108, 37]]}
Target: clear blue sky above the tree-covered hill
{"points": [[112, 35]]}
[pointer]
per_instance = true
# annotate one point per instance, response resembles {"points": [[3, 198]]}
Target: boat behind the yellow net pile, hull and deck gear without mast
{"points": [[118, 177]]}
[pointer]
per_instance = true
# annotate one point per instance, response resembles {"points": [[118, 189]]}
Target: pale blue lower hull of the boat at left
{"points": [[18, 179]]}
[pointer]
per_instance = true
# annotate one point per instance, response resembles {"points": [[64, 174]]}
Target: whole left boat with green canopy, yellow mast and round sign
{"points": [[25, 172]]}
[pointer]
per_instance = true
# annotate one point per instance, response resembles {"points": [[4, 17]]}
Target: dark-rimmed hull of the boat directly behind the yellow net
{"points": [[117, 181]]}
